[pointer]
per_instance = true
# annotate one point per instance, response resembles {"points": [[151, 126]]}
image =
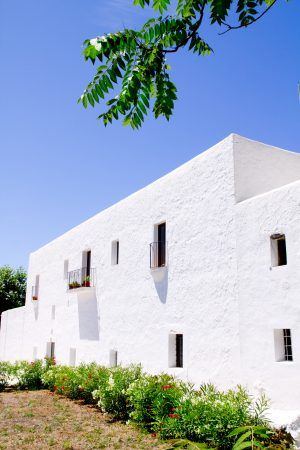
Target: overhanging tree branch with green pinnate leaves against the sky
{"points": [[135, 61]]}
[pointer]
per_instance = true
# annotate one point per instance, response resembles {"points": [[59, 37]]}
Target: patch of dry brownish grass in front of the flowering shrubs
{"points": [[41, 420]]}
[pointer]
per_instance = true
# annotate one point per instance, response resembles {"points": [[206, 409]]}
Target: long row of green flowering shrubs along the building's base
{"points": [[160, 403]]}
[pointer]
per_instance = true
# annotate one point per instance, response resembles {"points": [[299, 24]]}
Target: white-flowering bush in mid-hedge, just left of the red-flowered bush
{"points": [[112, 393]]}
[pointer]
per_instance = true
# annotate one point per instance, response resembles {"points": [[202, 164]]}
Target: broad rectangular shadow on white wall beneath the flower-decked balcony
{"points": [[88, 316]]}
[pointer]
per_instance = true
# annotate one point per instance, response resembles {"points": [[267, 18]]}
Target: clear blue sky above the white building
{"points": [[59, 165]]}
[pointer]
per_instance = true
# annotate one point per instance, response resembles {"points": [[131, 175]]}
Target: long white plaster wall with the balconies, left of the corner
{"points": [[133, 309]]}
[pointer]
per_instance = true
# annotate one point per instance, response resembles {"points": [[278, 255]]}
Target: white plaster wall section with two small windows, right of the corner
{"points": [[269, 297]]}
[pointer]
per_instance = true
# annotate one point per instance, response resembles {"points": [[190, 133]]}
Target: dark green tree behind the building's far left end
{"points": [[12, 288]]}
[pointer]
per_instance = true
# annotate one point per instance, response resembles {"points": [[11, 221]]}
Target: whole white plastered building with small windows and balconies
{"points": [[197, 274]]}
